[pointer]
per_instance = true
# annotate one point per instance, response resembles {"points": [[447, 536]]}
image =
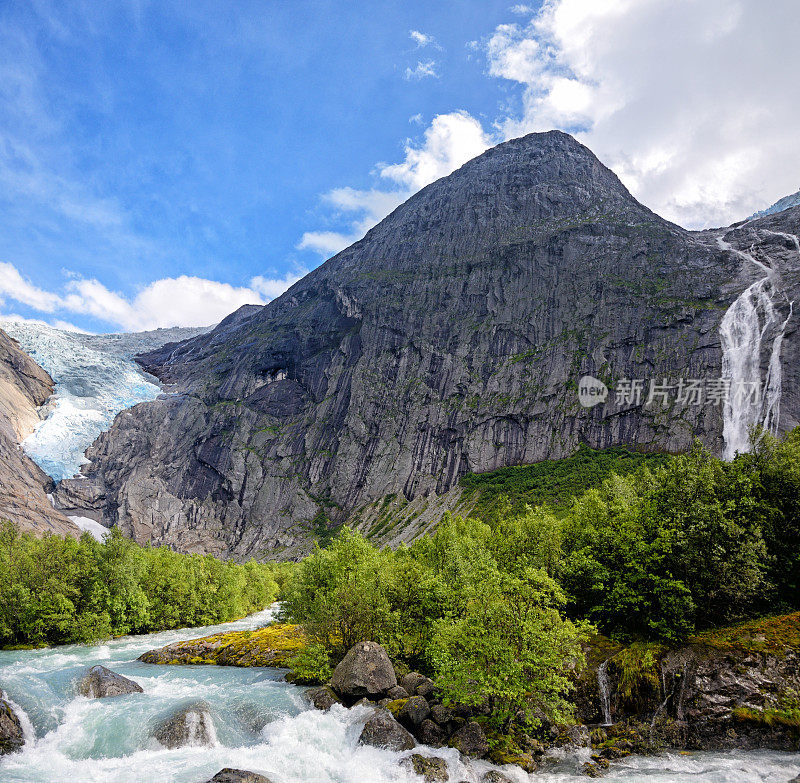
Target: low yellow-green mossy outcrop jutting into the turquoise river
{"points": [[272, 645]]}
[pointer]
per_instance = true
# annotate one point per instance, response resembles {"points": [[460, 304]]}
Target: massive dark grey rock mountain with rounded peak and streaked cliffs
{"points": [[450, 339]]}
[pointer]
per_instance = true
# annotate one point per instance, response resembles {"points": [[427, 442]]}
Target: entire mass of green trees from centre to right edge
{"points": [[497, 609]]}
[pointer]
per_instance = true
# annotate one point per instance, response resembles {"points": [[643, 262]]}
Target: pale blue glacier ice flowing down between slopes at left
{"points": [[95, 379]]}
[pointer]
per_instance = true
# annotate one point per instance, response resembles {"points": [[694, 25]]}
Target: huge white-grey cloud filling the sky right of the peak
{"points": [[689, 102]]}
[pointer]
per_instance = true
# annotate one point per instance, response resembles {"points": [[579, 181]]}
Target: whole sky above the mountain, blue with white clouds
{"points": [[161, 163]]}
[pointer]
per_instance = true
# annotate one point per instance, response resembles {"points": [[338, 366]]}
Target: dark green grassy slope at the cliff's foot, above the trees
{"points": [[554, 482]]}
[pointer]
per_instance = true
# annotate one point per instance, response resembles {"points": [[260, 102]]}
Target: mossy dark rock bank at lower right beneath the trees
{"points": [[731, 688]]}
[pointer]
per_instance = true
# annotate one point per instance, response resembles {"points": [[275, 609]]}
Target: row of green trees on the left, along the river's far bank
{"points": [[58, 590]]}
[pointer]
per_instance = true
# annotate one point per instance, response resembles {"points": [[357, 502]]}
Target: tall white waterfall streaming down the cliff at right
{"points": [[746, 326]]}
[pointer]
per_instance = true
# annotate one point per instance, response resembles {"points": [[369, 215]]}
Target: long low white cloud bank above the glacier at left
{"points": [[172, 301]]}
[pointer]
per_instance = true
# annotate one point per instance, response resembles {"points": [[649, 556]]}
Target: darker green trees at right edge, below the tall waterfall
{"points": [[693, 544]]}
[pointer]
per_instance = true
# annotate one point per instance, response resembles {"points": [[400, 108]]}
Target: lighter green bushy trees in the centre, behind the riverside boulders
{"points": [[444, 605]]}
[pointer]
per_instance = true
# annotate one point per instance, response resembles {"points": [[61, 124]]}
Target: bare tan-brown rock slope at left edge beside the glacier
{"points": [[24, 387]]}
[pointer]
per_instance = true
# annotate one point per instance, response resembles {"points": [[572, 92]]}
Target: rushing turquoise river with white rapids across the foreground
{"points": [[261, 723]]}
